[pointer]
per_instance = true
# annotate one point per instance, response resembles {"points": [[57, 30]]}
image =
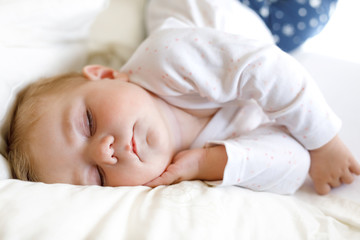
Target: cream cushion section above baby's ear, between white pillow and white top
{"points": [[117, 32]]}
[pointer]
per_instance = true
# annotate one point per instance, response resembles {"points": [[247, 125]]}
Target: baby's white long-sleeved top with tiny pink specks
{"points": [[270, 110]]}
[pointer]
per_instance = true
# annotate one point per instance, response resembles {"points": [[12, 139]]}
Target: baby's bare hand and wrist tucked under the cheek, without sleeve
{"points": [[194, 164]]}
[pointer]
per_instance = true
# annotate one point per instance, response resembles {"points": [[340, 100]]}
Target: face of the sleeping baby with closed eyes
{"points": [[105, 132]]}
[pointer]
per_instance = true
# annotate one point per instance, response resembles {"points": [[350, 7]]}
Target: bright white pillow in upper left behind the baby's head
{"points": [[40, 38]]}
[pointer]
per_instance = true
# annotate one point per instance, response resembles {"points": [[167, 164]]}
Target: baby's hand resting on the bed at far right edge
{"points": [[332, 165]]}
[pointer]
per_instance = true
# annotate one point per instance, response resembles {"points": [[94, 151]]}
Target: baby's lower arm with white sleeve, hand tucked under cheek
{"points": [[252, 161]]}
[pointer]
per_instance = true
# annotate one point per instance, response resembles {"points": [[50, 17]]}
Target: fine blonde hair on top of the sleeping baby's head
{"points": [[27, 111]]}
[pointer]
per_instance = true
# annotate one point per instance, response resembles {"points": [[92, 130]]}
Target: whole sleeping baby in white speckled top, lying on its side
{"points": [[191, 103]]}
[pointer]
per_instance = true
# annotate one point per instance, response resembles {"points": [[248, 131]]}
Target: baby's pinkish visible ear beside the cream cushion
{"points": [[99, 72]]}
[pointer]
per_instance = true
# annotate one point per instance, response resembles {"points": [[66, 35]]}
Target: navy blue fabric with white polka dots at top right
{"points": [[292, 22]]}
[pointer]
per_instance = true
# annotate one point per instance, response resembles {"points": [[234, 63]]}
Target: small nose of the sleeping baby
{"points": [[104, 151]]}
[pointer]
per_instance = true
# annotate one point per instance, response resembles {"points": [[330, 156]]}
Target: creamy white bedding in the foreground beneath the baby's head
{"points": [[189, 210]]}
